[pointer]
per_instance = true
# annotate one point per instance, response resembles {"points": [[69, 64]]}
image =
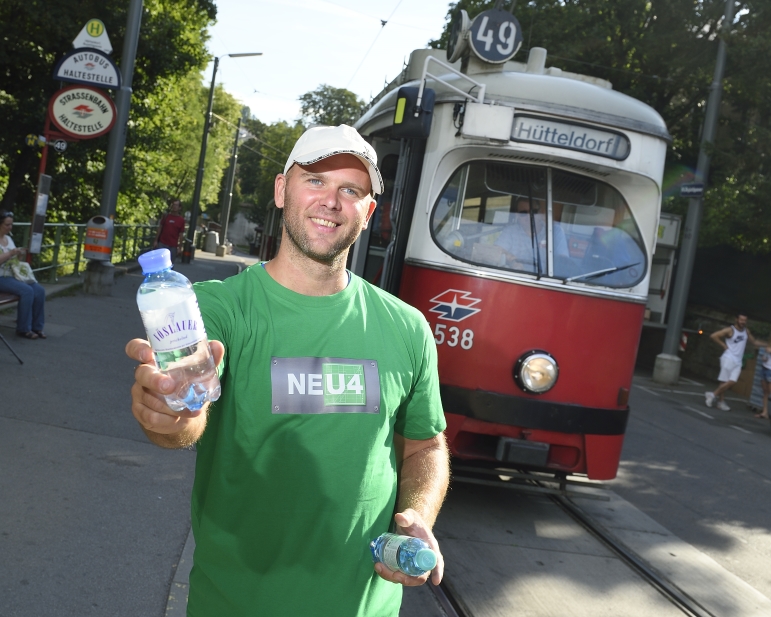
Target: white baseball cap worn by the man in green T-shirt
{"points": [[321, 142]]}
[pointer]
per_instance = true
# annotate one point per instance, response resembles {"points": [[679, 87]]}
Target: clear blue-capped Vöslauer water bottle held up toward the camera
{"points": [[175, 330]]}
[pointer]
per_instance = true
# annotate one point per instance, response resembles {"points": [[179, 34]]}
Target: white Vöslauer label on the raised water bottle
{"points": [[174, 327]]}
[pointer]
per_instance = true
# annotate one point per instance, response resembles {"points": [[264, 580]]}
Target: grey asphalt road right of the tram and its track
{"points": [[703, 474]]}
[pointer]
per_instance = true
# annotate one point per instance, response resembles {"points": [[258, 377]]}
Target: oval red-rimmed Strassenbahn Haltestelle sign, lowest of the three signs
{"points": [[82, 112]]}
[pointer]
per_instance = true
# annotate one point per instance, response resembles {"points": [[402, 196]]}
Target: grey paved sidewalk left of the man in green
{"points": [[93, 518]]}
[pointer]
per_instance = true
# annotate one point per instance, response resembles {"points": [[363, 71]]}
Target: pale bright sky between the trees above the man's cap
{"points": [[306, 43]]}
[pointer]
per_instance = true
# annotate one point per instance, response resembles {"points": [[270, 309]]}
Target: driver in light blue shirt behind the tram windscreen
{"points": [[525, 233]]}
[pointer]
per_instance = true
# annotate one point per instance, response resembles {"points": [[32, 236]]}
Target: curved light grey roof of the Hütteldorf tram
{"points": [[551, 91]]}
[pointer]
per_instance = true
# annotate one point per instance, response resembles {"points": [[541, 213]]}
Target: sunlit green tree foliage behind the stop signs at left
{"points": [[165, 120]]}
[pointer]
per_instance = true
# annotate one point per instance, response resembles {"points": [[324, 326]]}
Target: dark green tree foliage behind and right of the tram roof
{"points": [[663, 52]]}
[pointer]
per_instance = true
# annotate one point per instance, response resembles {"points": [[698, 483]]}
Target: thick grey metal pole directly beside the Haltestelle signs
{"points": [[117, 144]]}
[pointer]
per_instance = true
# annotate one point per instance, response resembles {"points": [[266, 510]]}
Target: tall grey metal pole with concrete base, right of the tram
{"points": [[667, 368]]}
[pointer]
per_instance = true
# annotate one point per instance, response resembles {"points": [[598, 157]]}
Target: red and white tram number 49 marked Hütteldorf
{"points": [[520, 216]]}
